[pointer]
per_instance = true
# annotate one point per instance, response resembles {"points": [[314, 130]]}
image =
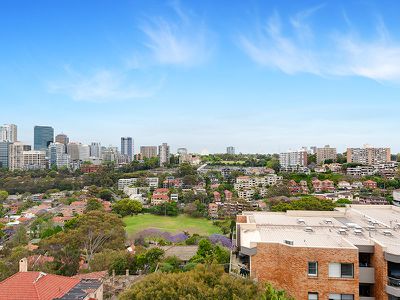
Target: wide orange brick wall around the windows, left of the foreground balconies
{"points": [[286, 268]]}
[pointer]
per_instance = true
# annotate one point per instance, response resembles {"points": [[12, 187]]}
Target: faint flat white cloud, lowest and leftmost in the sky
{"points": [[103, 86]]}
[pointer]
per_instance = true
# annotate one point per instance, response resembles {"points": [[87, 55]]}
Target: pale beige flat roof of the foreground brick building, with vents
{"points": [[347, 227]]}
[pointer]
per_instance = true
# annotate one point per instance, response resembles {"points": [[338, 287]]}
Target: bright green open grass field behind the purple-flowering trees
{"points": [[135, 224]]}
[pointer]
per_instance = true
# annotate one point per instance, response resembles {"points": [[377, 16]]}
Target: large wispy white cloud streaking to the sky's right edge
{"points": [[297, 50]]}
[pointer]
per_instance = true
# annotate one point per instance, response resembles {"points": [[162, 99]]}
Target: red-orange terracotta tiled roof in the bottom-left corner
{"points": [[35, 285]]}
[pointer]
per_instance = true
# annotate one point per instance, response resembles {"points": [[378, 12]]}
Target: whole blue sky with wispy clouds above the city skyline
{"points": [[263, 76]]}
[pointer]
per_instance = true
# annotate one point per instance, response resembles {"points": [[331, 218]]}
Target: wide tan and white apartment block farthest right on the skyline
{"points": [[368, 155]]}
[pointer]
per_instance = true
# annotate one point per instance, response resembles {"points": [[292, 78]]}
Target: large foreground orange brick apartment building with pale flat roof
{"points": [[350, 253]]}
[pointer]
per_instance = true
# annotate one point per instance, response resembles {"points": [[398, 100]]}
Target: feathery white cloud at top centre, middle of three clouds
{"points": [[183, 41]]}
